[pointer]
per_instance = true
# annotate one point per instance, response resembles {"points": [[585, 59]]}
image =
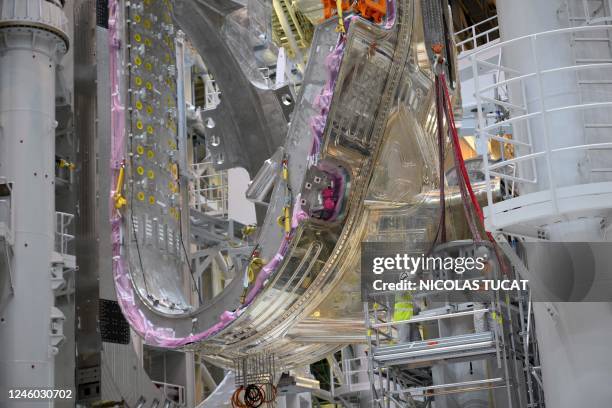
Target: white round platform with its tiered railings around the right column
{"points": [[547, 176]]}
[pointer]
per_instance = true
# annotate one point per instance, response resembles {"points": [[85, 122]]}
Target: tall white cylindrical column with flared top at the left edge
{"points": [[32, 40]]}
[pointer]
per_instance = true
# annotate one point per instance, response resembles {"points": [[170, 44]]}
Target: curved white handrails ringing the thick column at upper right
{"points": [[527, 114]]}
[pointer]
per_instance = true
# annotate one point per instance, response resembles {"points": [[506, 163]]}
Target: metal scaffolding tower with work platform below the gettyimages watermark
{"points": [[409, 371]]}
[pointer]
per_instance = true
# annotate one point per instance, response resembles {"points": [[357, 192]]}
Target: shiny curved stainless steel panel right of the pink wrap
{"points": [[378, 152]]}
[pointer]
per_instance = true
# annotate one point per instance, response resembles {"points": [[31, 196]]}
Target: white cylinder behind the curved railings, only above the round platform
{"points": [[524, 17]]}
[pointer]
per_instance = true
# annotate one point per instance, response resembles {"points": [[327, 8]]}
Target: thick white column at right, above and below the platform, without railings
{"points": [[573, 338]]}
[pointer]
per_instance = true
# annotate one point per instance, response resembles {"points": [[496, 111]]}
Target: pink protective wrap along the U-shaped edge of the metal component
{"points": [[126, 297]]}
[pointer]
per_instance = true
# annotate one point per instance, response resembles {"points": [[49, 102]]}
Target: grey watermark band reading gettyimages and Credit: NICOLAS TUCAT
{"points": [[556, 272]]}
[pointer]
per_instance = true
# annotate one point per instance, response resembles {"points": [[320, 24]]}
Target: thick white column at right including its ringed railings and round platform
{"points": [[560, 100]]}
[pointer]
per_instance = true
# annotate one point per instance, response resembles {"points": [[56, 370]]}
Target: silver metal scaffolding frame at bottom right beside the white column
{"points": [[398, 369]]}
